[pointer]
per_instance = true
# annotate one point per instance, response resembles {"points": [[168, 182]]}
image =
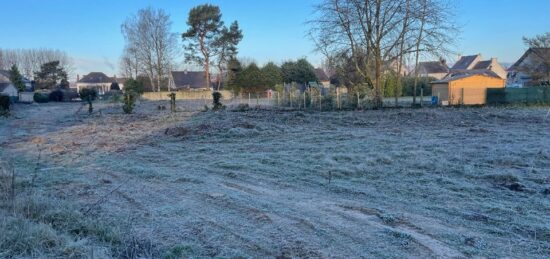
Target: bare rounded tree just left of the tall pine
{"points": [[150, 42]]}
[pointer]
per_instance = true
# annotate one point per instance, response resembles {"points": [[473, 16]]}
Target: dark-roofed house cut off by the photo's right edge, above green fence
{"points": [[533, 66]]}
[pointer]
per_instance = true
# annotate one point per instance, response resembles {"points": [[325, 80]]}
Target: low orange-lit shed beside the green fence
{"points": [[468, 87]]}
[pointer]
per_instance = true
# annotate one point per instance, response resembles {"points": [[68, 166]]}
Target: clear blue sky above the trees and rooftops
{"points": [[89, 30]]}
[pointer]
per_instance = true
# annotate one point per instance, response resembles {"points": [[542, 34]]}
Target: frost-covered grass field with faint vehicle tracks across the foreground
{"points": [[393, 183]]}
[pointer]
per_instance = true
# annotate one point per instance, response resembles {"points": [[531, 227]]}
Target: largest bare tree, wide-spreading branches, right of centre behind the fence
{"points": [[378, 34]]}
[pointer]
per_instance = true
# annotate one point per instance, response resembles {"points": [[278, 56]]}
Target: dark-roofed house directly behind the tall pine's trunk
{"points": [[189, 80]]}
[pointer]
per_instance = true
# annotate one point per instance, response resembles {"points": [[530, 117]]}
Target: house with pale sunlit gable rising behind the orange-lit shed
{"points": [[475, 62]]}
